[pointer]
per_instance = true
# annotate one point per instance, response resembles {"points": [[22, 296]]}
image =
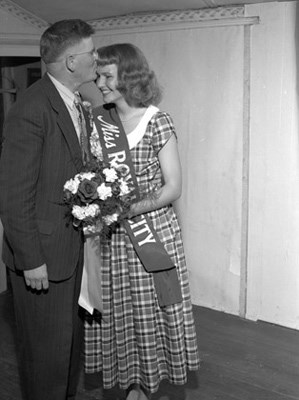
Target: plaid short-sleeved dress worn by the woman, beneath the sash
{"points": [[136, 341]]}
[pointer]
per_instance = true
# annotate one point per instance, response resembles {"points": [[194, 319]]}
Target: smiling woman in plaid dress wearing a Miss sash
{"points": [[140, 340]]}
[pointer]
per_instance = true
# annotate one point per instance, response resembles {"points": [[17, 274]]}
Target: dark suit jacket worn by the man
{"points": [[40, 153]]}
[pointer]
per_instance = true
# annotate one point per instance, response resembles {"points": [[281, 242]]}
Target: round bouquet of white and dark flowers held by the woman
{"points": [[98, 197]]}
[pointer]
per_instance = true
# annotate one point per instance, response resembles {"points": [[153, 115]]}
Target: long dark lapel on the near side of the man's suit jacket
{"points": [[64, 121]]}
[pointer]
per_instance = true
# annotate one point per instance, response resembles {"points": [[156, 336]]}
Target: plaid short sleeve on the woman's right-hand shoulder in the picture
{"points": [[163, 129]]}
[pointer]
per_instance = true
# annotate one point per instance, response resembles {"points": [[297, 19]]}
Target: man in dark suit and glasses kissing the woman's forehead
{"points": [[42, 250]]}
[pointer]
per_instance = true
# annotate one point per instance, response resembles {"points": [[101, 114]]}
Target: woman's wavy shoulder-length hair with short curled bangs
{"points": [[136, 82]]}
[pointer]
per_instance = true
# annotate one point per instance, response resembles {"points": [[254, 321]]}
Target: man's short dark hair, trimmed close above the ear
{"points": [[62, 35]]}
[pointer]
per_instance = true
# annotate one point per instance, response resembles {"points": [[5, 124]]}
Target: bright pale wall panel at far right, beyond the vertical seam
{"points": [[273, 246]]}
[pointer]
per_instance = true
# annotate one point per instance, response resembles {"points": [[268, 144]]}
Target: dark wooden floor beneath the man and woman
{"points": [[241, 360]]}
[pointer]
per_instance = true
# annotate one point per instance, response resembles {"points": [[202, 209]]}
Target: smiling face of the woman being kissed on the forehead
{"points": [[107, 83]]}
